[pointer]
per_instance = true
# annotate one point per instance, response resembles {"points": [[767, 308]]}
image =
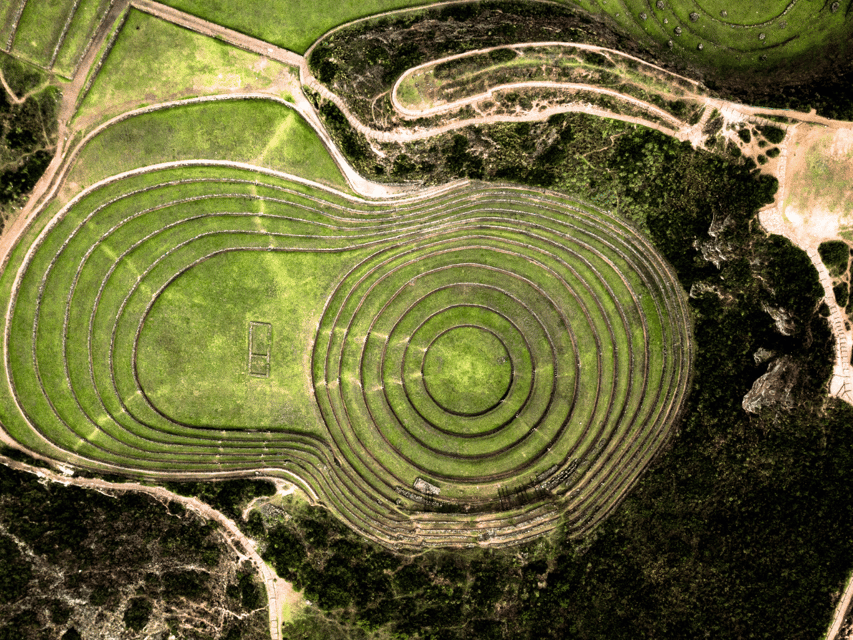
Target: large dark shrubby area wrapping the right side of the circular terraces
{"points": [[740, 530]]}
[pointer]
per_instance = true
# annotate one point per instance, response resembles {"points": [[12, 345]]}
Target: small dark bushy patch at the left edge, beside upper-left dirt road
{"points": [[27, 133]]}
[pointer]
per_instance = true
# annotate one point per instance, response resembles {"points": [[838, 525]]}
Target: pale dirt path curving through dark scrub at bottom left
{"points": [[279, 591]]}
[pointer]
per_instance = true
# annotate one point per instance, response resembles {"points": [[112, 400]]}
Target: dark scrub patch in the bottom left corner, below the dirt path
{"points": [[76, 562]]}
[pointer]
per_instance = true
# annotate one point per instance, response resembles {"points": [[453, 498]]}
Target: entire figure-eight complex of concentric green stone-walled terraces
{"points": [[482, 365]]}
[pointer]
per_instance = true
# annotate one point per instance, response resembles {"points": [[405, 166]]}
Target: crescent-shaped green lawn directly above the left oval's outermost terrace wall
{"points": [[269, 135]]}
